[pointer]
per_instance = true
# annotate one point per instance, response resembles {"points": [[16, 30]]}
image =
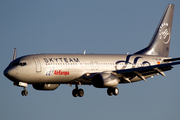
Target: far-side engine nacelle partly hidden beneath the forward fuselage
{"points": [[45, 86]]}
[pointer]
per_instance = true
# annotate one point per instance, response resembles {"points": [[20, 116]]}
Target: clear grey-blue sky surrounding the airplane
{"points": [[100, 26]]}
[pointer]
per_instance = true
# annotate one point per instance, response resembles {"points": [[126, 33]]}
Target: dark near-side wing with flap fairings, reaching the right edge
{"points": [[128, 74]]}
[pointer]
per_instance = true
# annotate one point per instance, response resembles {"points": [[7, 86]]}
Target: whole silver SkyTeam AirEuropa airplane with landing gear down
{"points": [[48, 71]]}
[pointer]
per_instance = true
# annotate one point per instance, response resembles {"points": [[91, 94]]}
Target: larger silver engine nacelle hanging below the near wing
{"points": [[105, 80]]}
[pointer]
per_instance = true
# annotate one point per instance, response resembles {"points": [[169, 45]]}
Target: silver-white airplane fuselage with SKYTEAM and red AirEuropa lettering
{"points": [[66, 68]]}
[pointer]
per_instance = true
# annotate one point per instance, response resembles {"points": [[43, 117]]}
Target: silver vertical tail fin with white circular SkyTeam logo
{"points": [[160, 42]]}
